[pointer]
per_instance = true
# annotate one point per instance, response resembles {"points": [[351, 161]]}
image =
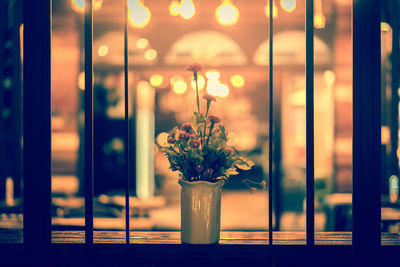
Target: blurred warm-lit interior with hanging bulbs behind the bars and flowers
{"points": [[231, 40]]}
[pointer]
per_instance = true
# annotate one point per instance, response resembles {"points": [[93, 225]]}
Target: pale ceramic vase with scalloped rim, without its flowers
{"points": [[200, 211]]}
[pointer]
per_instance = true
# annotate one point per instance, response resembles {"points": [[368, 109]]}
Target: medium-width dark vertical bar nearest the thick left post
{"points": [[89, 164]]}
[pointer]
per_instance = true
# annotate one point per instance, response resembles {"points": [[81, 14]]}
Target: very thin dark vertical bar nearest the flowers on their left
{"points": [[127, 162]]}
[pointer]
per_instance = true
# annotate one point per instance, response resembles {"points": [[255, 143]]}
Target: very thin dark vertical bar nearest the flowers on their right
{"points": [[271, 120]]}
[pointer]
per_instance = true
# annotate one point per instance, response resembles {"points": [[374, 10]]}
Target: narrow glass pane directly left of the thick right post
{"points": [[333, 121]]}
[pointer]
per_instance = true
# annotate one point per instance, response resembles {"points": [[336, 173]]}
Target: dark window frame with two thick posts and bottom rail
{"points": [[366, 162]]}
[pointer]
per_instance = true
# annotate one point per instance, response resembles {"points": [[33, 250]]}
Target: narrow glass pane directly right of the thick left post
{"points": [[68, 205]]}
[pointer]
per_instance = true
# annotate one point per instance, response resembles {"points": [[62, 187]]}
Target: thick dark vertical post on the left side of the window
{"points": [[37, 127]]}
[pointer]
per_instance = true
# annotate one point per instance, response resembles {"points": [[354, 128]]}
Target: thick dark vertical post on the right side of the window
{"points": [[366, 127]]}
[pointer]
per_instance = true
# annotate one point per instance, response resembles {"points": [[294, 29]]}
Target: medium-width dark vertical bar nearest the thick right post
{"points": [[310, 121]]}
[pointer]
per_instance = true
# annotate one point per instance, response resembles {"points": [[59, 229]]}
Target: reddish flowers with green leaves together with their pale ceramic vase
{"points": [[199, 151]]}
